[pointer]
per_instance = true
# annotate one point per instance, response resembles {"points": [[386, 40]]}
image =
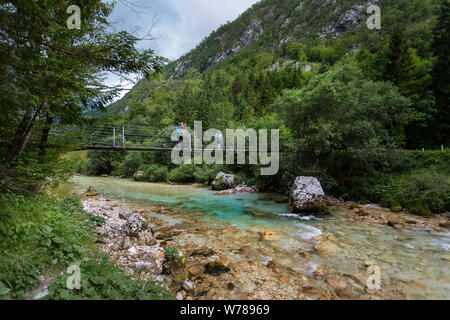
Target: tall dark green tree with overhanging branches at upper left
{"points": [[53, 72]]}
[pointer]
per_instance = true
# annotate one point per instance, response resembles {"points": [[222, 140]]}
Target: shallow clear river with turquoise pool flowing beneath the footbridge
{"points": [[411, 262]]}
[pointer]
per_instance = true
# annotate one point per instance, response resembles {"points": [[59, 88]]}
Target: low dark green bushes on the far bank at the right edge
{"points": [[422, 187]]}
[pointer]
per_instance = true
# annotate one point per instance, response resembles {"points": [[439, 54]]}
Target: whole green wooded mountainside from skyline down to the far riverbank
{"points": [[351, 103]]}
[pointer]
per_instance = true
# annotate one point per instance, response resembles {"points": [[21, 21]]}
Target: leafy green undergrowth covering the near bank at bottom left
{"points": [[41, 234]]}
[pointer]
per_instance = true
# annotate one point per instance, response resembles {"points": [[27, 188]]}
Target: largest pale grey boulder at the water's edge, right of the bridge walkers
{"points": [[306, 196]]}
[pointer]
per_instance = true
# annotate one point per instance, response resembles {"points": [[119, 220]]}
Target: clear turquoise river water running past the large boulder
{"points": [[410, 261]]}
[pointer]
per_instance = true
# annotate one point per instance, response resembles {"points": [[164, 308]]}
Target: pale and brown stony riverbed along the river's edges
{"points": [[236, 263]]}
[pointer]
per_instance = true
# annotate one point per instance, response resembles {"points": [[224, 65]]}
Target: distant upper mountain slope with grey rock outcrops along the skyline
{"points": [[270, 24]]}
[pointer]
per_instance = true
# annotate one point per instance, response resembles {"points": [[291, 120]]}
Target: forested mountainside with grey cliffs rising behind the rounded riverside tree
{"points": [[280, 44]]}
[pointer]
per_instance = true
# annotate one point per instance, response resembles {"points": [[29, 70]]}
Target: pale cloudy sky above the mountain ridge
{"points": [[177, 26]]}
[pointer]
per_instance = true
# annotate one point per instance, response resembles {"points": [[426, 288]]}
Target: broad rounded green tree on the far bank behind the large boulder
{"points": [[341, 110]]}
